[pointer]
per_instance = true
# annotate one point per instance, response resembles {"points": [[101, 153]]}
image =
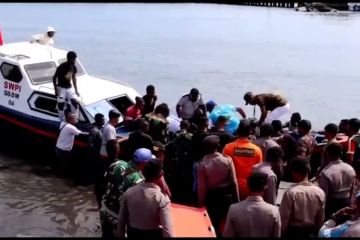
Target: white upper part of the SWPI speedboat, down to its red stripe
{"points": [[28, 101]]}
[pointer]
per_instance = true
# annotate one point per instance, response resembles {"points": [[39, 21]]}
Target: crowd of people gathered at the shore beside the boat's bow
{"points": [[234, 175]]}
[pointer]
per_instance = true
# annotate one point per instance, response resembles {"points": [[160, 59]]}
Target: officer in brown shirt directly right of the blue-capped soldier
{"points": [[145, 207]]}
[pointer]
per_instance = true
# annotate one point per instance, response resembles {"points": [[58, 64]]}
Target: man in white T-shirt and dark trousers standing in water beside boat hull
{"points": [[65, 141]]}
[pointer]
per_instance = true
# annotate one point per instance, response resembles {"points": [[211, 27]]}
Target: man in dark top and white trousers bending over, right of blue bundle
{"points": [[272, 106]]}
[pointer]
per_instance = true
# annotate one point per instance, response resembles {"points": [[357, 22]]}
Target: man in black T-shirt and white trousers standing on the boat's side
{"points": [[64, 91]]}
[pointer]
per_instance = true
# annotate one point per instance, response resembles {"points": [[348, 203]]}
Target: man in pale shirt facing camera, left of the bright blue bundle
{"points": [[191, 106]]}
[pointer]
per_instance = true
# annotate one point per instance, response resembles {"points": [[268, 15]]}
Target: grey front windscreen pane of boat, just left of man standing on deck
{"points": [[40, 72]]}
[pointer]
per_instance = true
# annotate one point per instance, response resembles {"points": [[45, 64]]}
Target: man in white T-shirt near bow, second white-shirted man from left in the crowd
{"points": [[109, 131]]}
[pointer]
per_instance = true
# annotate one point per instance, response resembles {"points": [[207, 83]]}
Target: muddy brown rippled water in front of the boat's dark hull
{"points": [[35, 202]]}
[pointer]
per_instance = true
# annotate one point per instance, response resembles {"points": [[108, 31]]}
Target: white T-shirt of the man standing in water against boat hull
{"points": [[66, 137]]}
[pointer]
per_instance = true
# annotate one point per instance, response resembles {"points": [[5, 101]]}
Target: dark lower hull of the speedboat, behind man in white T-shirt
{"points": [[34, 139]]}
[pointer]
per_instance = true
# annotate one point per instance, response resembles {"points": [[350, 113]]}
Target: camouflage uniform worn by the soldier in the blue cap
{"points": [[119, 177]]}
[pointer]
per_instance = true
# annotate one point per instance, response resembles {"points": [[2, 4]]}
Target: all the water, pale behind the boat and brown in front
{"points": [[224, 50]]}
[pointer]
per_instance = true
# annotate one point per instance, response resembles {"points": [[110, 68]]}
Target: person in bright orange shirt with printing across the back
{"points": [[244, 155]]}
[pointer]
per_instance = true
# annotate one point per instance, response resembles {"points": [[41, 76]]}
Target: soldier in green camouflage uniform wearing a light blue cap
{"points": [[120, 176]]}
